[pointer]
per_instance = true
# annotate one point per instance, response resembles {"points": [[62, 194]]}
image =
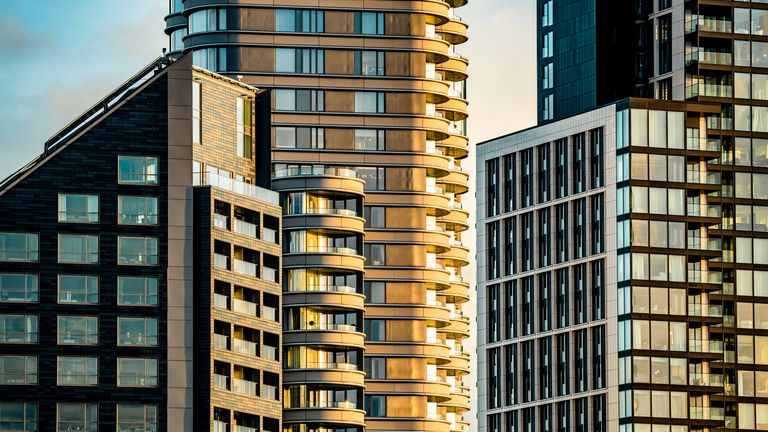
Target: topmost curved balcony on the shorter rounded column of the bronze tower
{"points": [[317, 178]]}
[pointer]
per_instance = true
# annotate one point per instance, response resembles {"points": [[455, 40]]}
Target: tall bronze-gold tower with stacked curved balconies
{"points": [[368, 113]]}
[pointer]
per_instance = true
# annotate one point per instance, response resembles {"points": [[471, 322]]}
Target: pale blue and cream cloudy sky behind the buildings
{"points": [[57, 58]]}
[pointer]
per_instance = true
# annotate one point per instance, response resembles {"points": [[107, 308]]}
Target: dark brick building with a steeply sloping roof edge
{"points": [[140, 265]]}
